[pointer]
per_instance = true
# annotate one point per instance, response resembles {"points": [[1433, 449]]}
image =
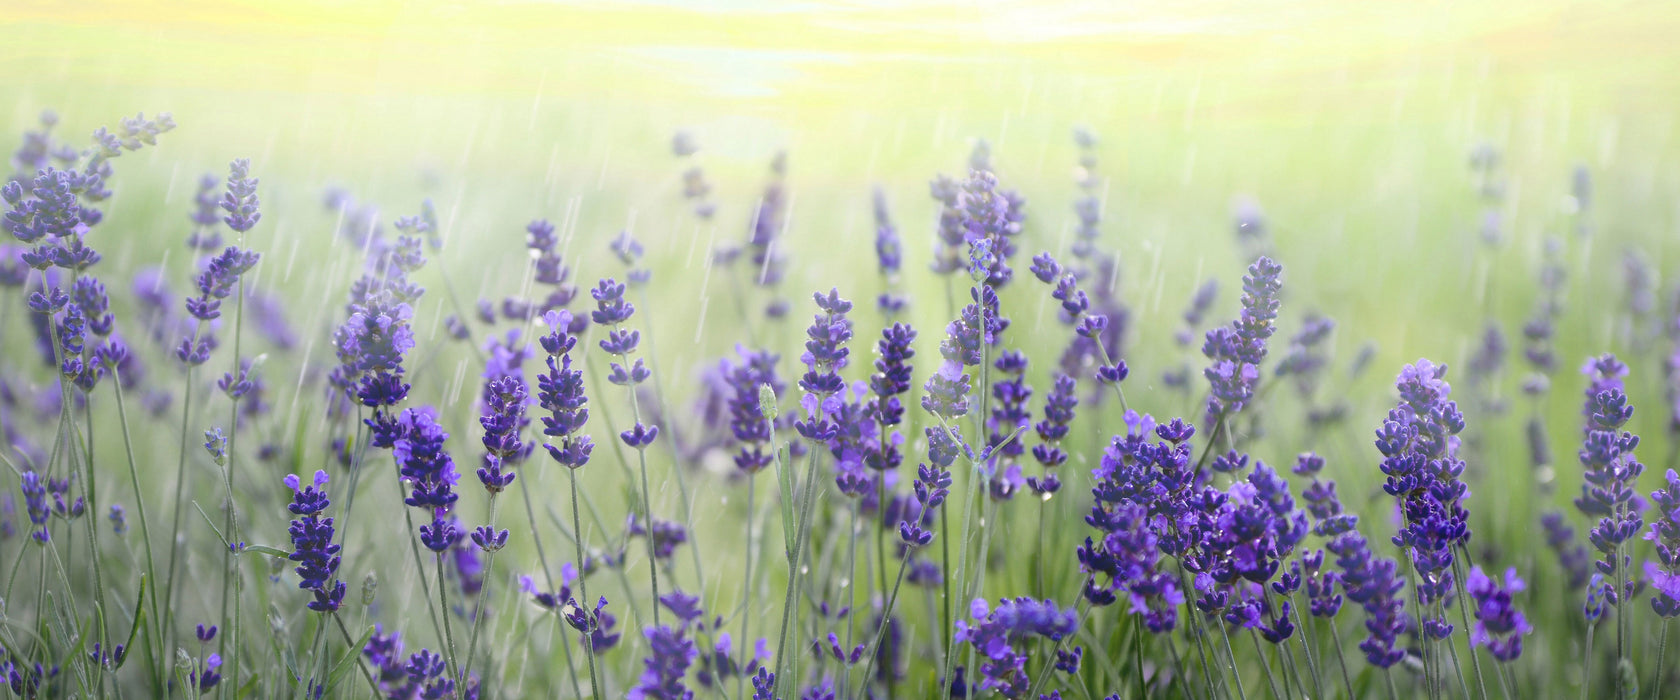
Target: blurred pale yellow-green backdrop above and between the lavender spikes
{"points": [[1348, 125]]}
